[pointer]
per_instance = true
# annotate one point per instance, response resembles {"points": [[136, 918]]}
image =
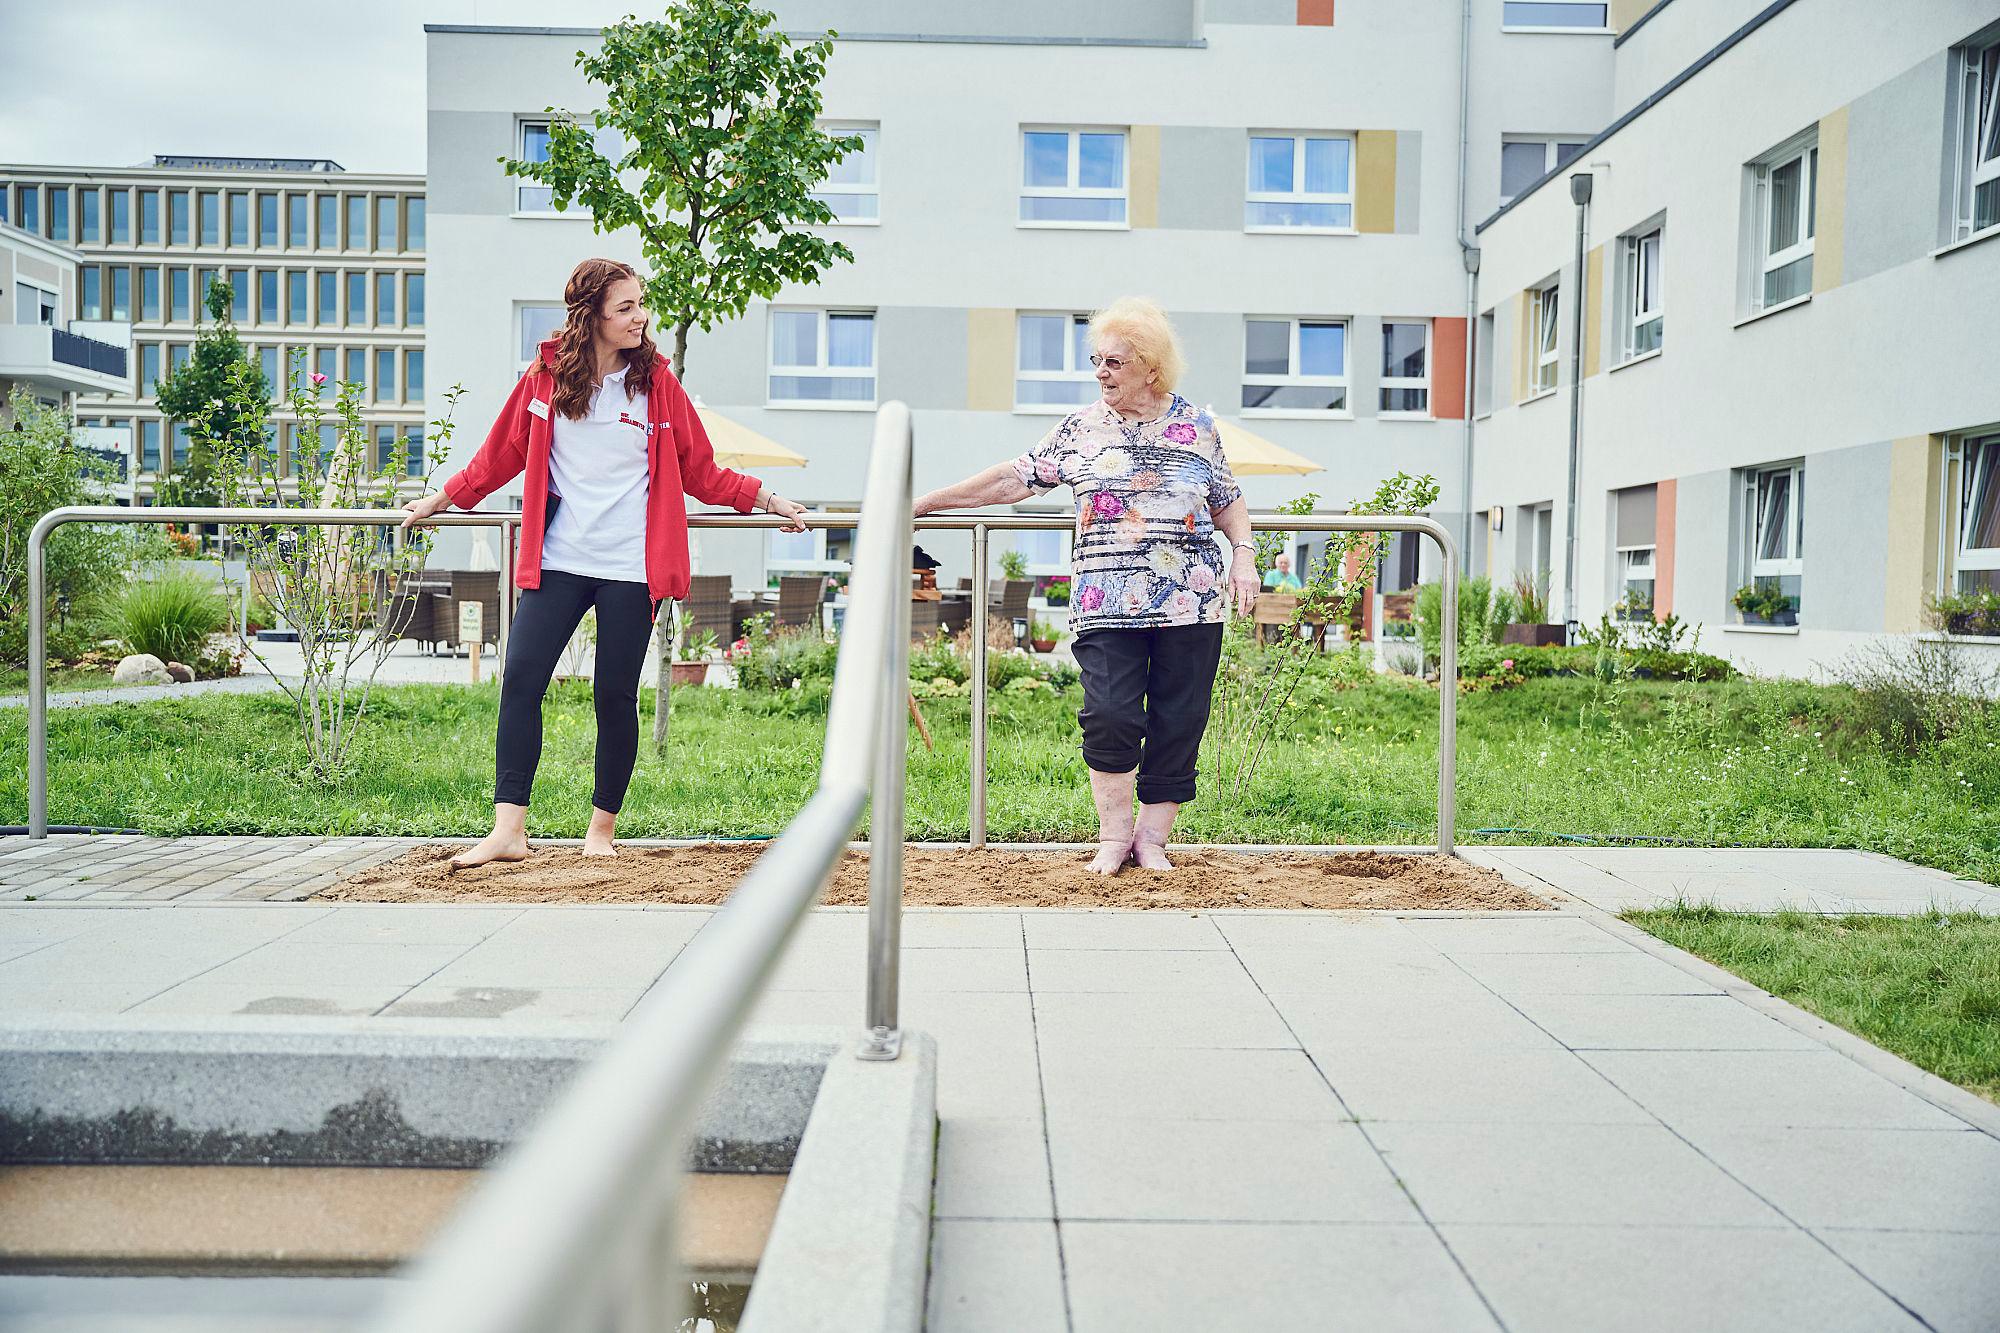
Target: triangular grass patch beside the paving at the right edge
{"points": [[1925, 988]]}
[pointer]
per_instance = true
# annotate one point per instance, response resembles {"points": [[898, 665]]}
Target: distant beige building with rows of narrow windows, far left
{"points": [[325, 267]]}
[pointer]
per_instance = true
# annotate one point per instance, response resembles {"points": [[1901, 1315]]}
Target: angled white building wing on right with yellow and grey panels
{"points": [[1777, 355]]}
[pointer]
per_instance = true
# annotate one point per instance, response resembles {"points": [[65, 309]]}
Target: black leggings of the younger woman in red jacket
{"points": [[543, 625]]}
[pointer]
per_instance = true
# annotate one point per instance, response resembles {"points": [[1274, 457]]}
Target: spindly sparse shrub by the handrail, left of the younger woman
{"points": [[341, 589]]}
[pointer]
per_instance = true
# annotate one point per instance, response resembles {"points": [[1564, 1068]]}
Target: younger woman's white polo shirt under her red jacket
{"points": [[599, 469]]}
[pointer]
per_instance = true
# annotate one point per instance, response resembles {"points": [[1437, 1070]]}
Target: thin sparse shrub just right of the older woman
{"points": [[1257, 684]]}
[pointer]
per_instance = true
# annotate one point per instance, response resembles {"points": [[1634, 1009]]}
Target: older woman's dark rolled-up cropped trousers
{"points": [[1147, 704]]}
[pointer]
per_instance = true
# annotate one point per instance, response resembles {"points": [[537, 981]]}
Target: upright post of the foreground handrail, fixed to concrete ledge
{"points": [[883, 1042]]}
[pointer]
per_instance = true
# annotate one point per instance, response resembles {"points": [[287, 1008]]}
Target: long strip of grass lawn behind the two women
{"points": [[1755, 764]]}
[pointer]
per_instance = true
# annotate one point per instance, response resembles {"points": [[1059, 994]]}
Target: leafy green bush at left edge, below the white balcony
{"points": [[43, 469]]}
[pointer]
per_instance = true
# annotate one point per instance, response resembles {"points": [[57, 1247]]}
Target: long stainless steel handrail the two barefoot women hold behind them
{"points": [[979, 525]]}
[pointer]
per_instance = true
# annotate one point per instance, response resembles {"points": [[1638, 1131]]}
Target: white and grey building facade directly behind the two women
{"points": [[1283, 175]]}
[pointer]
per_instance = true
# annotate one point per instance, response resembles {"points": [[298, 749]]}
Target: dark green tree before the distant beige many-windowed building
{"points": [[193, 391]]}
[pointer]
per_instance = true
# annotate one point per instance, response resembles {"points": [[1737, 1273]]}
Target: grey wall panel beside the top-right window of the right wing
{"points": [[1891, 171]]}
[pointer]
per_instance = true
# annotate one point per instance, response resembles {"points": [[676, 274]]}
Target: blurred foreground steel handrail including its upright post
{"points": [[575, 1226]]}
